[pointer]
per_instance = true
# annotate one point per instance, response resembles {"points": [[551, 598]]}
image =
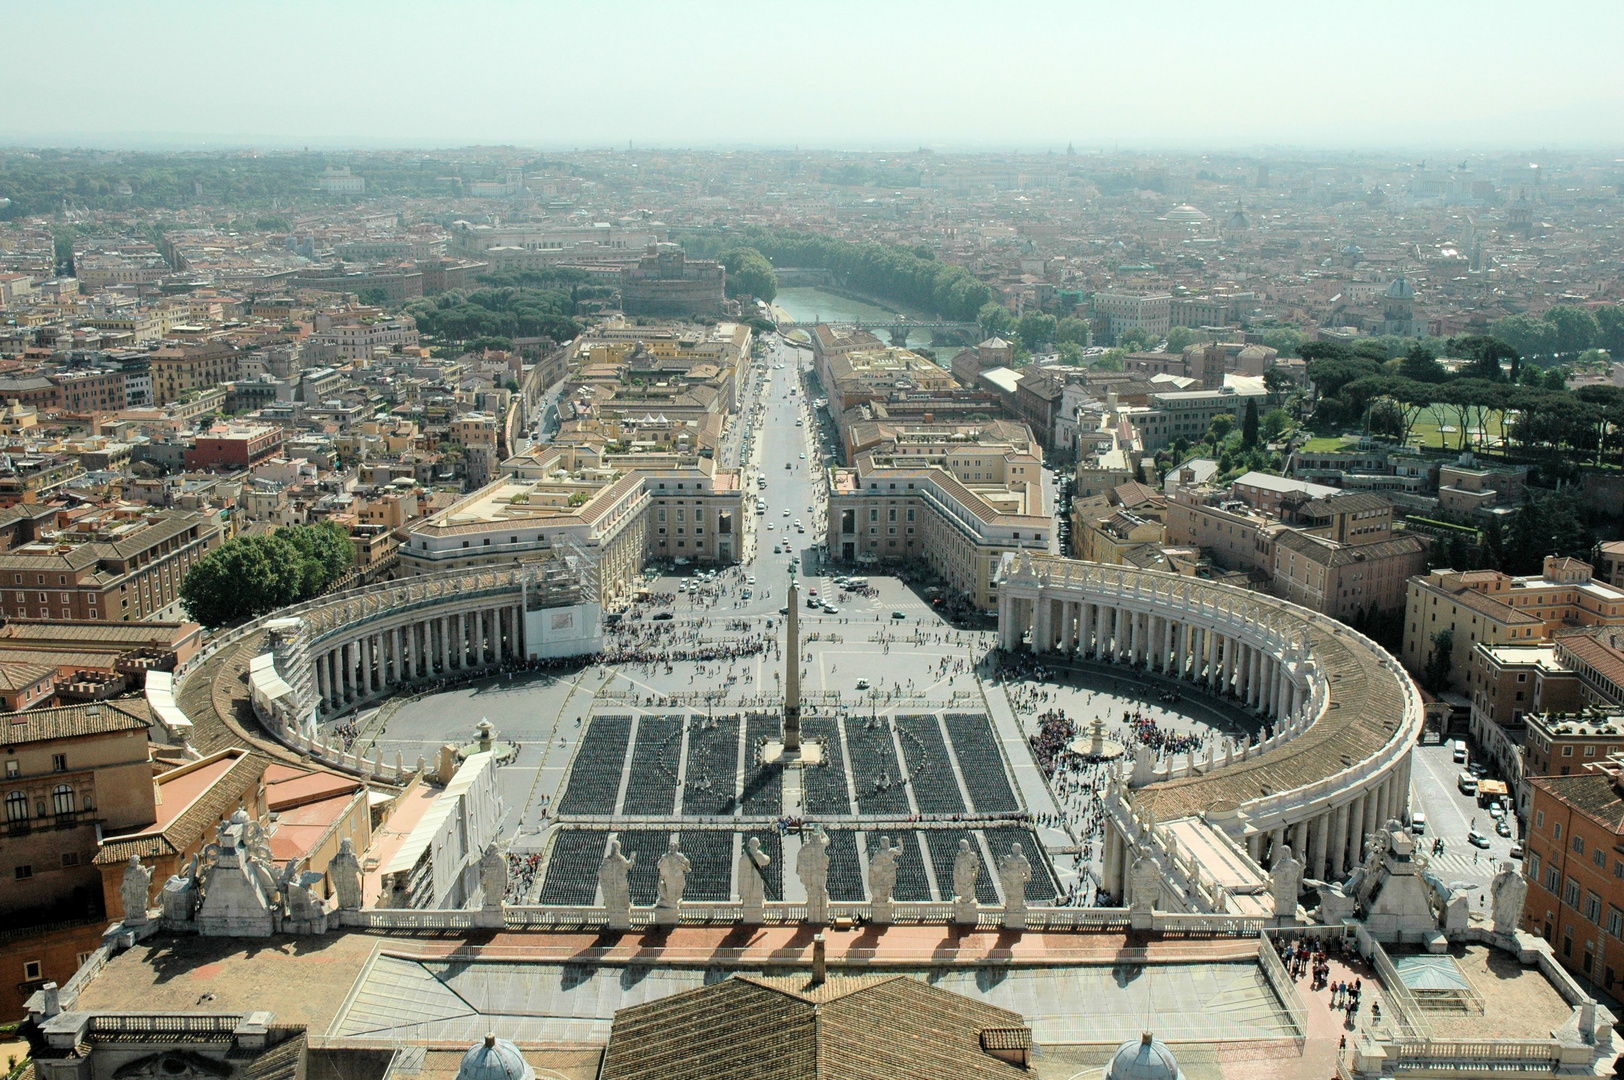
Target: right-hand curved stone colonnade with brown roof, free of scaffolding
{"points": [[1345, 714]]}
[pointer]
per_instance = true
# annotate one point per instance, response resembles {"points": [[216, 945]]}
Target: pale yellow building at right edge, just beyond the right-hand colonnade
{"points": [[1501, 610]]}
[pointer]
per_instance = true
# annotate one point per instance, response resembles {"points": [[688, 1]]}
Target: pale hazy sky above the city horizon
{"points": [[827, 74]]}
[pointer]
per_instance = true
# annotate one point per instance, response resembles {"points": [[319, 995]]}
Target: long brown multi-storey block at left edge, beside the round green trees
{"points": [[129, 569]]}
